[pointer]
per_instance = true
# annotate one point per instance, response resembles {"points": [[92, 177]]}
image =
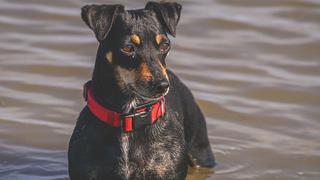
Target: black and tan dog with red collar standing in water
{"points": [[141, 121]]}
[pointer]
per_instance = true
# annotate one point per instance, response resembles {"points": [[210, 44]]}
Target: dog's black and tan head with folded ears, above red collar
{"points": [[134, 44]]}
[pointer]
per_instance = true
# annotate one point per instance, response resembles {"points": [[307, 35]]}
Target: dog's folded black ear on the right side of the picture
{"points": [[168, 14]]}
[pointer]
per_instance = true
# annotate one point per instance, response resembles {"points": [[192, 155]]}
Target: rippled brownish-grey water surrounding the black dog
{"points": [[253, 66]]}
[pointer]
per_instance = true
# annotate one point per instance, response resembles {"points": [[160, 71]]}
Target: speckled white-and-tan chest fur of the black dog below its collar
{"points": [[157, 158]]}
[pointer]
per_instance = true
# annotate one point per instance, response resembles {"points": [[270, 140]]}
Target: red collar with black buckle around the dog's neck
{"points": [[146, 114]]}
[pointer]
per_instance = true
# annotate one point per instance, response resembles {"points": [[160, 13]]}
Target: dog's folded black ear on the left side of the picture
{"points": [[100, 18]]}
